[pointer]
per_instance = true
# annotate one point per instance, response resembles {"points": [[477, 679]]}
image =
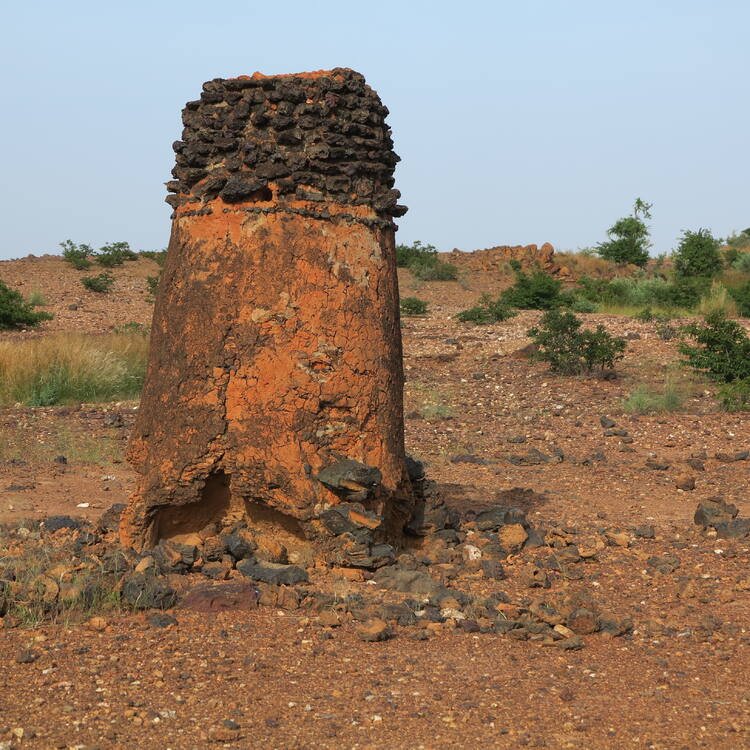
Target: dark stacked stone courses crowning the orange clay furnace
{"points": [[311, 136]]}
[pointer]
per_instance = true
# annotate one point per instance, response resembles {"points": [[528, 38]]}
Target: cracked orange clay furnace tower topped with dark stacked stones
{"points": [[274, 387]]}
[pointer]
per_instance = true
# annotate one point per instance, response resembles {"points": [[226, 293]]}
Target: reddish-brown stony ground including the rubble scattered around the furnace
{"points": [[617, 622]]}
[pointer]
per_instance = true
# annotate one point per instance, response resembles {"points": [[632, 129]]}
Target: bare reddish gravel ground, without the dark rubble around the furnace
{"points": [[479, 414]]}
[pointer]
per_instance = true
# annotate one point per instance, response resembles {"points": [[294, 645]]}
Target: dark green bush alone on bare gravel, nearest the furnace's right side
{"points": [[571, 351]]}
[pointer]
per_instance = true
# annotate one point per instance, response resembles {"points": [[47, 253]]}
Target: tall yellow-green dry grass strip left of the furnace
{"points": [[72, 368]]}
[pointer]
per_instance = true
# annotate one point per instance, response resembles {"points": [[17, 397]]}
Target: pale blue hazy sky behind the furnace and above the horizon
{"points": [[517, 122]]}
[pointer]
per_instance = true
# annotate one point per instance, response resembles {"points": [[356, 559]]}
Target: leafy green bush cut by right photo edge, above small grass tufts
{"points": [[721, 349]]}
